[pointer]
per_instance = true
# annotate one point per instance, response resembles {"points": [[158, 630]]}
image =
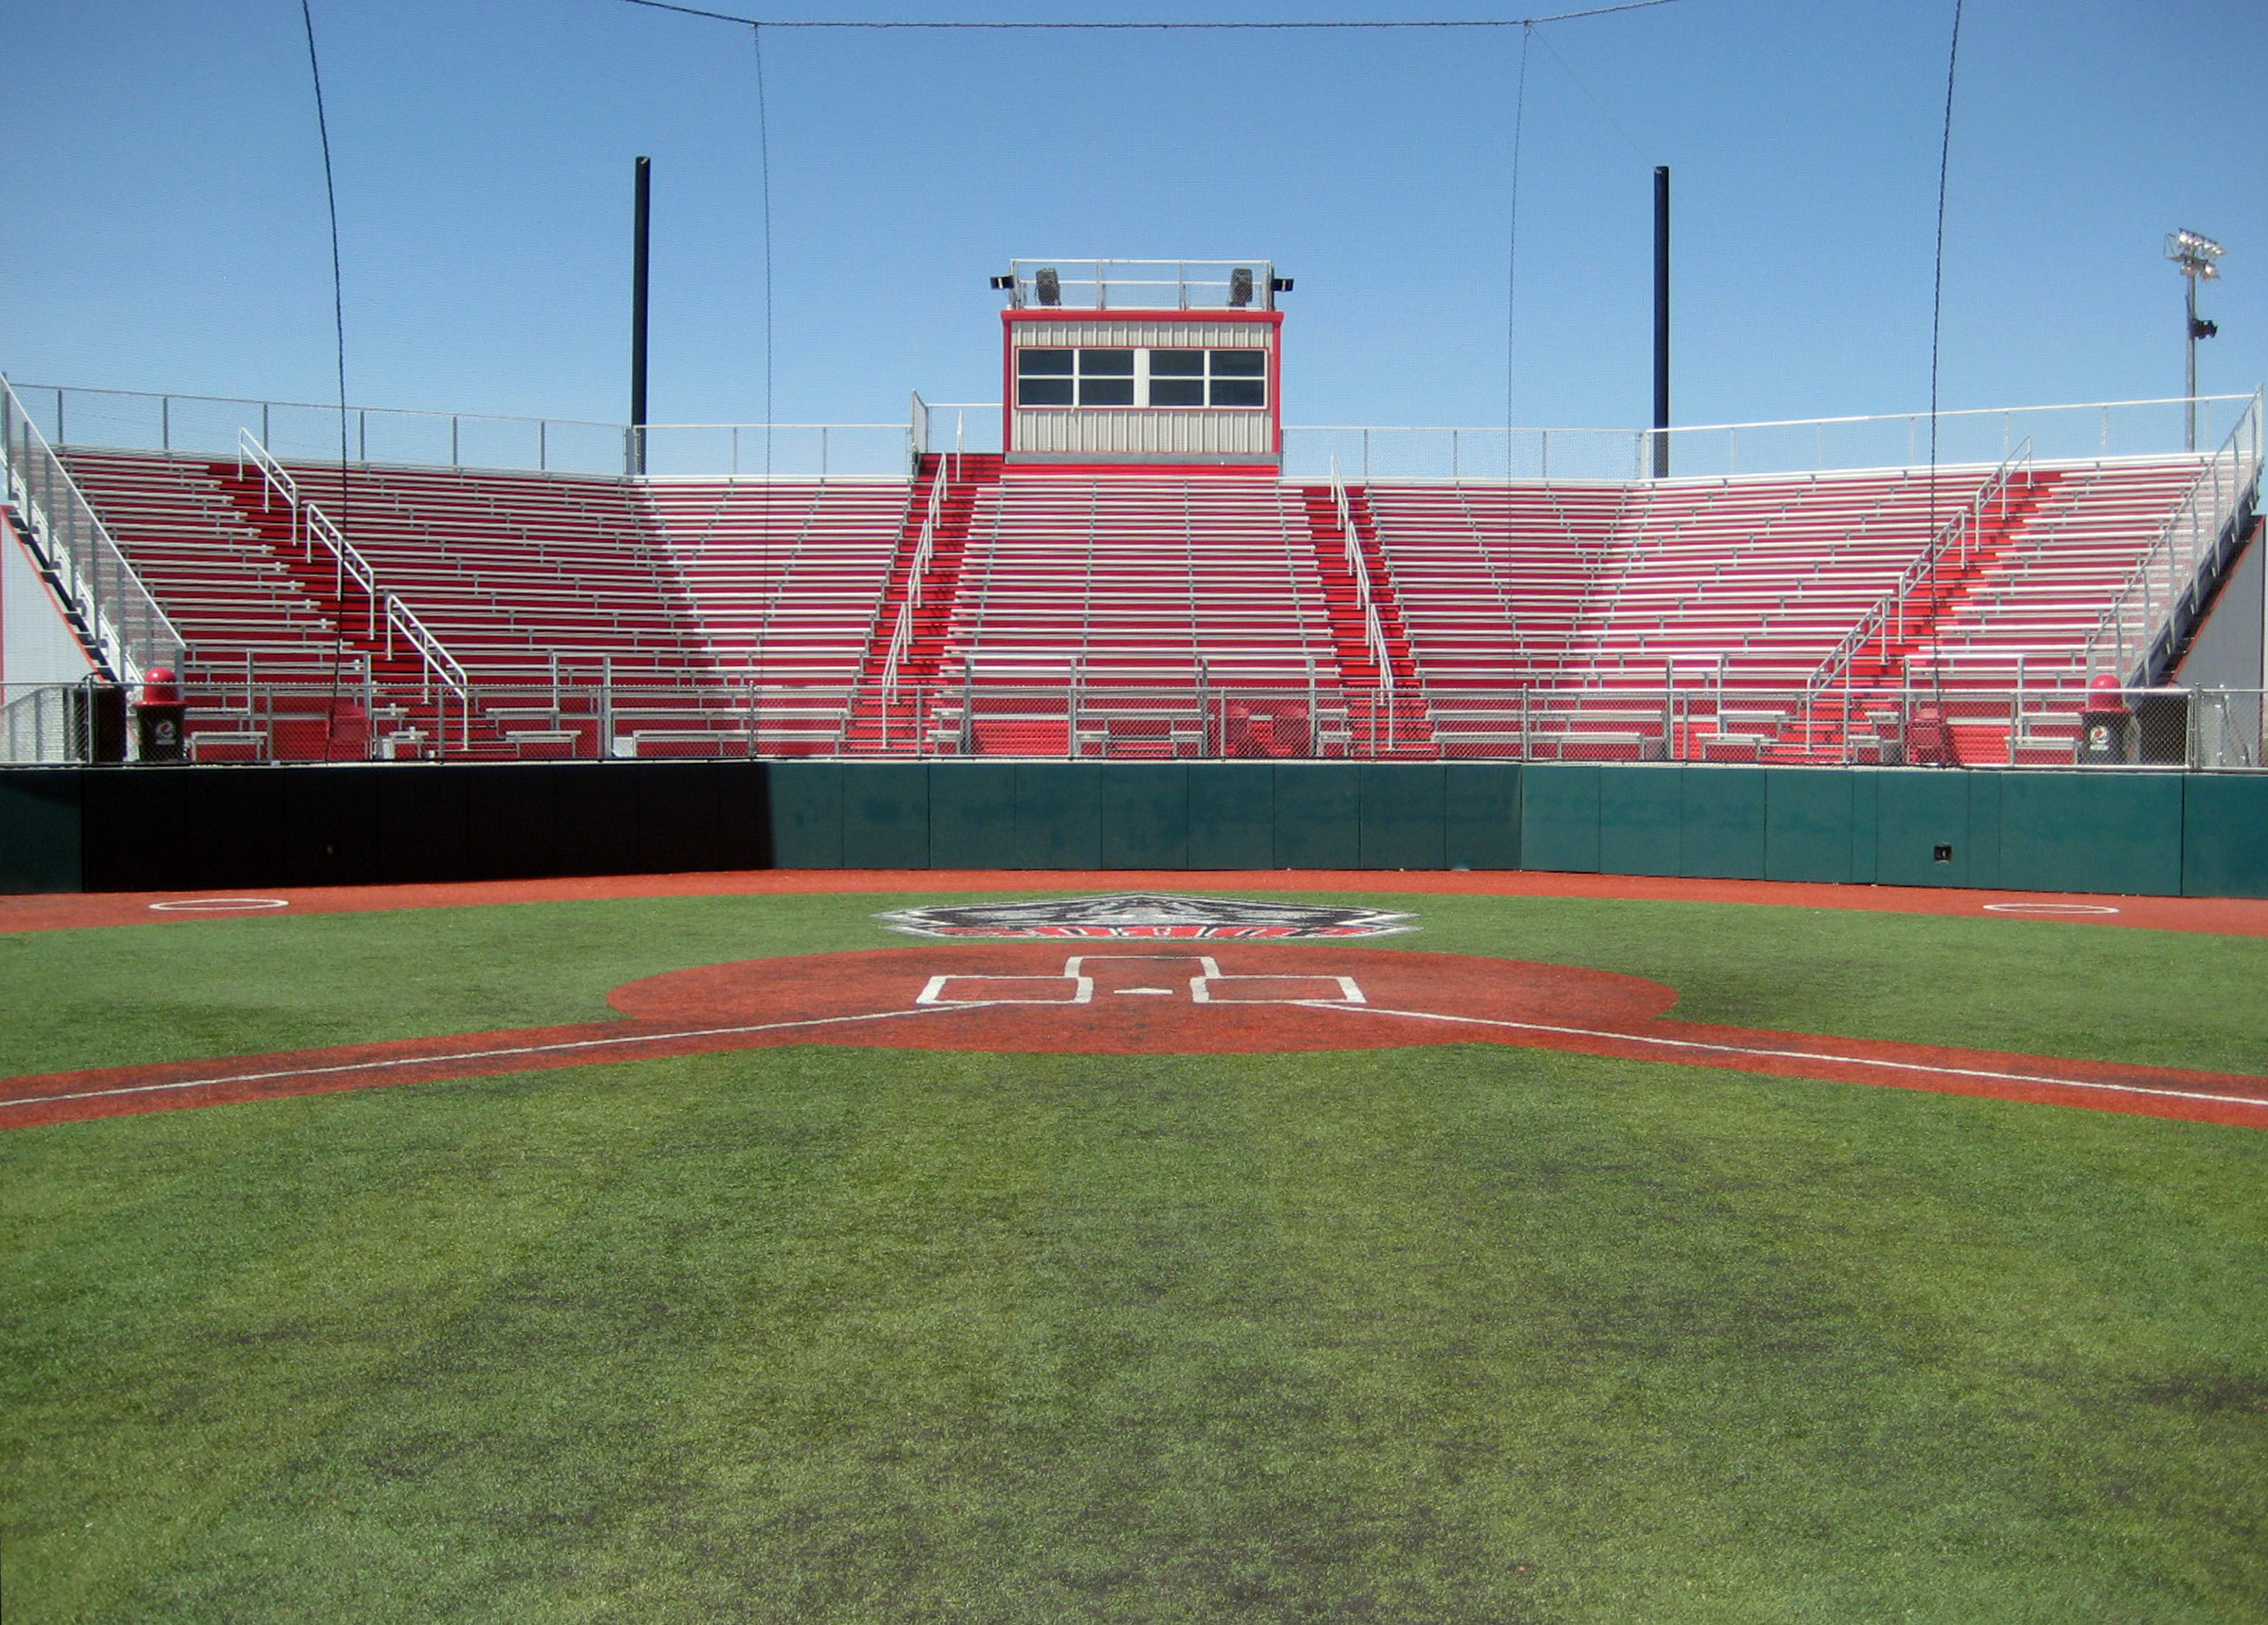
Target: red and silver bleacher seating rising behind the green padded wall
{"points": [[1017, 612]]}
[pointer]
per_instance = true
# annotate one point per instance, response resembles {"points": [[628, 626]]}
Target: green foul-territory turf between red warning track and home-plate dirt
{"points": [[248, 986]]}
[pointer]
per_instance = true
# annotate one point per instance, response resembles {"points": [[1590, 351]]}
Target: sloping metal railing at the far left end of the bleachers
{"points": [[115, 612]]}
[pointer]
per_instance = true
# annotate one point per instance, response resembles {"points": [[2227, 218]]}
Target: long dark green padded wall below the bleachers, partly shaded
{"points": [[108, 830]]}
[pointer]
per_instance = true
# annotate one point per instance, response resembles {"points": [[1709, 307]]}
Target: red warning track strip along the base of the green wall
{"points": [[67, 911]]}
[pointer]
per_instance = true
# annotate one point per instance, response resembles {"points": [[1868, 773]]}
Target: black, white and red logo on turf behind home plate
{"points": [[1146, 916]]}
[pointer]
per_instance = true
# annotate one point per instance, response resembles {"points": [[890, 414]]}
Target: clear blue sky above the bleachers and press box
{"points": [[164, 214]]}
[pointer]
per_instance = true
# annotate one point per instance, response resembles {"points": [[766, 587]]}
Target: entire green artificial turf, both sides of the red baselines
{"points": [[1462, 1333]]}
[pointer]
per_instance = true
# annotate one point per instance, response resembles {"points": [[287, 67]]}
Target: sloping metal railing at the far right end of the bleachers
{"points": [[2138, 630]]}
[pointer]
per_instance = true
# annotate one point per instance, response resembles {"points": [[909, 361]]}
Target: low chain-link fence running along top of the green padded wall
{"points": [[1101, 716]]}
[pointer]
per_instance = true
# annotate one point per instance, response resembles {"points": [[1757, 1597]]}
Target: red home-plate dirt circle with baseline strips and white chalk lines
{"points": [[1140, 1000]]}
